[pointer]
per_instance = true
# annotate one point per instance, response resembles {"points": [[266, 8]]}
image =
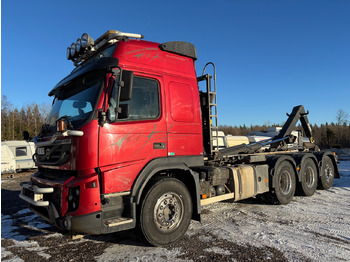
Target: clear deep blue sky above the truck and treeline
{"points": [[270, 55]]}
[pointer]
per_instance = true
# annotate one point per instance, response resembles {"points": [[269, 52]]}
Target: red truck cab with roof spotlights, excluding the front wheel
{"points": [[129, 106]]}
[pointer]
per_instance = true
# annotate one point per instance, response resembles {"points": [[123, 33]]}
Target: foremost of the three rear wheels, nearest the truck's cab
{"points": [[285, 184]]}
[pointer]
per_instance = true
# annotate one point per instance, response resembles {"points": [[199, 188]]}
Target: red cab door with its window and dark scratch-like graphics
{"points": [[127, 145]]}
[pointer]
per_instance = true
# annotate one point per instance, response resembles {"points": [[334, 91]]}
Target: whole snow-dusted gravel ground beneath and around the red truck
{"points": [[316, 228]]}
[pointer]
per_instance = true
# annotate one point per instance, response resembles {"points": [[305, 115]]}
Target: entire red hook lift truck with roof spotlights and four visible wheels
{"points": [[131, 141]]}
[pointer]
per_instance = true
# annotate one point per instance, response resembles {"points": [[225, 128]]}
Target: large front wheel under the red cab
{"points": [[166, 212]]}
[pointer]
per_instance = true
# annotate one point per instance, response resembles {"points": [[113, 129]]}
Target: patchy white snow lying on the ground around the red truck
{"points": [[313, 228]]}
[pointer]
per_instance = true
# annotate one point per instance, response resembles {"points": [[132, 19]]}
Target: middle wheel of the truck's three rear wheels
{"points": [[308, 183]]}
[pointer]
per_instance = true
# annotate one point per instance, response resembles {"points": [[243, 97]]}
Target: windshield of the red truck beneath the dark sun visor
{"points": [[76, 101]]}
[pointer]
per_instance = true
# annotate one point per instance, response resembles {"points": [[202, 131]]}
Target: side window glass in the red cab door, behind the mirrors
{"points": [[144, 103]]}
